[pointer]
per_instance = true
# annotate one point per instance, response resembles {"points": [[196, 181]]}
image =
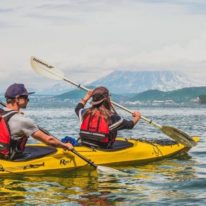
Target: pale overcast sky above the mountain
{"points": [[88, 39]]}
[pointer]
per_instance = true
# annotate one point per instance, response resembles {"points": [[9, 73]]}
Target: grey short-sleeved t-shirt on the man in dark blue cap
{"points": [[21, 126]]}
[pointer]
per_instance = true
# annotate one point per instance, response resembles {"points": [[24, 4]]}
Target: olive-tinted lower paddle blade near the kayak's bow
{"points": [[179, 136]]}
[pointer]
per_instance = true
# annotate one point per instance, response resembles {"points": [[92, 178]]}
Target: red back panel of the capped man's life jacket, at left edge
{"points": [[5, 136]]}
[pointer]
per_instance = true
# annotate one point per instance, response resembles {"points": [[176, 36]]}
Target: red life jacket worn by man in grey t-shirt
{"points": [[6, 144]]}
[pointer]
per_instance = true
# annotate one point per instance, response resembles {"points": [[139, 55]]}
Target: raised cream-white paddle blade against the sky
{"points": [[44, 69]]}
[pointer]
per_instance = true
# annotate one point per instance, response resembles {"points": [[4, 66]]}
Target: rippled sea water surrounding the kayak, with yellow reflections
{"points": [[168, 182]]}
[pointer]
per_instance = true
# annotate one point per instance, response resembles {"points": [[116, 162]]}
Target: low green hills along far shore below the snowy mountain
{"points": [[184, 95]]}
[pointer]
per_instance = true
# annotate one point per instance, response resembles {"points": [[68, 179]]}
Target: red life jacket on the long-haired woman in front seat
{"points": [[95, 129]]}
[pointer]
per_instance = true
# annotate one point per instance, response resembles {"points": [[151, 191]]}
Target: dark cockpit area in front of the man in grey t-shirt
{"points": [[33, 152]]}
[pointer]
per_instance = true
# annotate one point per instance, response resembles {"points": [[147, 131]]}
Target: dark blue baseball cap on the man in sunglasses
{"points": [[16, 90]]}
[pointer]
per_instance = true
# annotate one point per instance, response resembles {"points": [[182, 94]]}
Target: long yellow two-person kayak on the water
{"points": [[39, 158]]}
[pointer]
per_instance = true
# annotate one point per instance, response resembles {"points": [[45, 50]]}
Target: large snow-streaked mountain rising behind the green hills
{"points": [[139, 81]]}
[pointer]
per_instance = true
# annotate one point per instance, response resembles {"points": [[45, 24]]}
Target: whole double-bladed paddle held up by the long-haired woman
{"points": [[45, 69]]}
